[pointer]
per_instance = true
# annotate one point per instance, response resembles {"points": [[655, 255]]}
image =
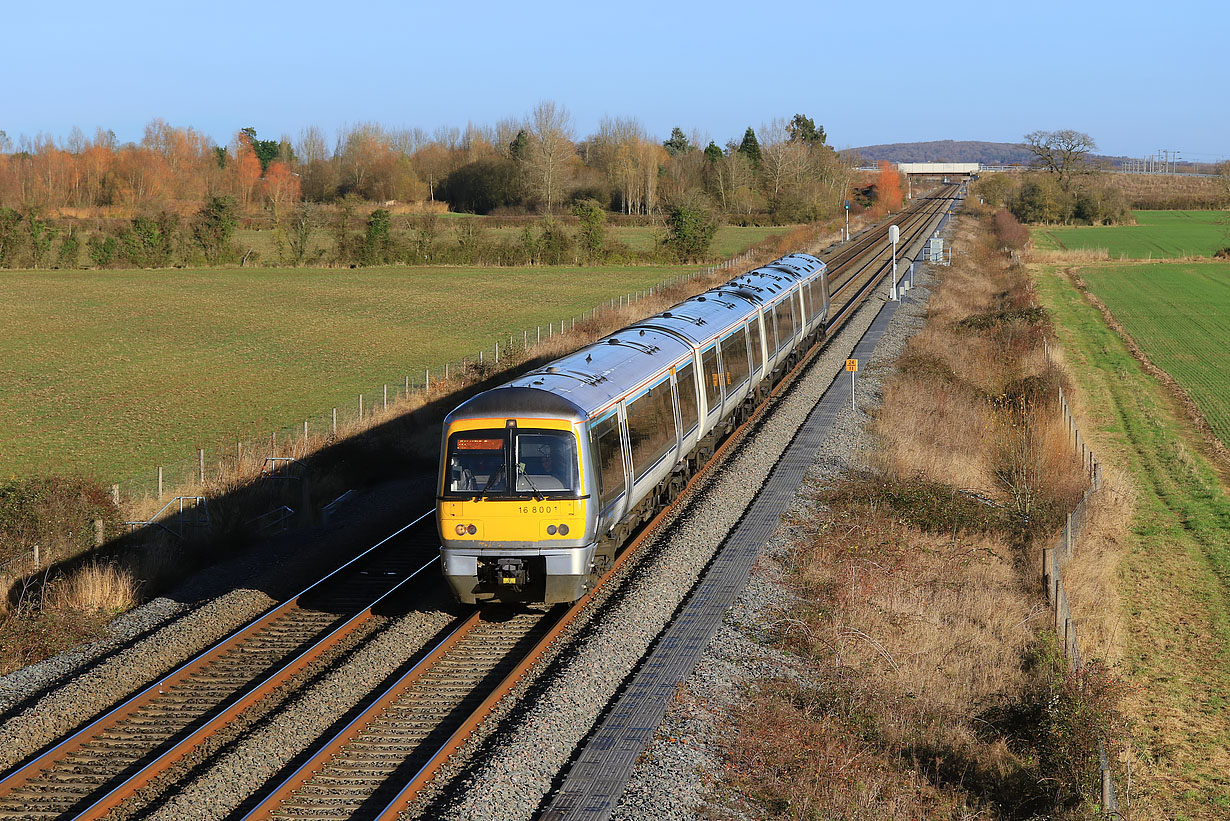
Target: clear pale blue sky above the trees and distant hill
{"points": [[1137, 77]]}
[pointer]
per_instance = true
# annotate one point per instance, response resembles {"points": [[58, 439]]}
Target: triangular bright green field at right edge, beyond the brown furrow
{"points": [[1180, 316]]}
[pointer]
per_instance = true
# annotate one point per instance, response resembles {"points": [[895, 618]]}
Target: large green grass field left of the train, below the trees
{"points": [[109, 374]]}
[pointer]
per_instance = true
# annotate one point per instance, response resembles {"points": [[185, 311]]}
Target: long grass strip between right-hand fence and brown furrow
{"points": [[1175, 578]]}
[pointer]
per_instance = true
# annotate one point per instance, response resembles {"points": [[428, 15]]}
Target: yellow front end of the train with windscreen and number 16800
{"points": [[515, 513]]}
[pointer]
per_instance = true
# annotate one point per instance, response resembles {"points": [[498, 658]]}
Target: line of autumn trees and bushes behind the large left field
{"points": [[180, 196]]}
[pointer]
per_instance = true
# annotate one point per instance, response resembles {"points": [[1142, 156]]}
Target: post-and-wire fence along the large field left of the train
{"points": [[190, 476]]}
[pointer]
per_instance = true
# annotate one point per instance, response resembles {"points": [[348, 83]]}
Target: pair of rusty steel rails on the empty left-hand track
{"points": [[231, 708]]}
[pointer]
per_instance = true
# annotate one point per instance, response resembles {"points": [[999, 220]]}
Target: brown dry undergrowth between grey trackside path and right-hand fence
{"points": [[934, 686]]}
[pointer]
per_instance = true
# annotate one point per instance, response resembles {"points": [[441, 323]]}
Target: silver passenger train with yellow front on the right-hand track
{"points": [[546, 478]]}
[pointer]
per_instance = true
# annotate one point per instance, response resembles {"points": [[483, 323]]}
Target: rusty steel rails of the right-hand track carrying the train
{"points": [[319, 764]]}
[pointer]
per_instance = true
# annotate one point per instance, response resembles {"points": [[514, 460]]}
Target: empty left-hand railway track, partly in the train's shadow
{"points": [[113, 758]]}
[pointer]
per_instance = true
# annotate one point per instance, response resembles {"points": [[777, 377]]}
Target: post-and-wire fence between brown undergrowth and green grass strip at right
{"points": [[1053, 561]]}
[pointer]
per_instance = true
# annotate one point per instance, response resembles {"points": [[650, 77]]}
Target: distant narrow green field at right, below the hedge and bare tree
{"points": [[1158, 234]]}
